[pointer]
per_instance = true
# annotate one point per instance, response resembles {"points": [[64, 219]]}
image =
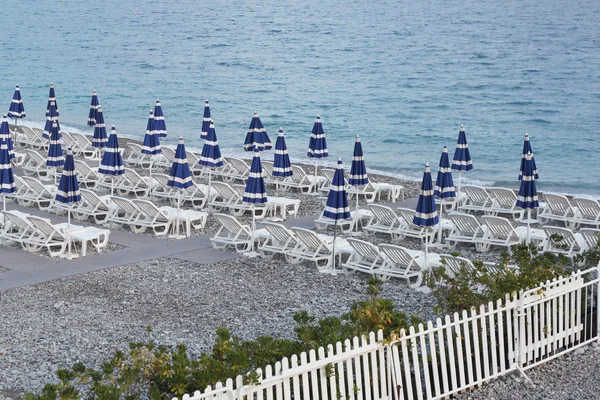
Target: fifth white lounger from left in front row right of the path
{"points": [[403, 263]]}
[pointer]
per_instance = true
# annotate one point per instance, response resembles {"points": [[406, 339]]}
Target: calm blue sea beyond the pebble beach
{"points": [[404, 75]]}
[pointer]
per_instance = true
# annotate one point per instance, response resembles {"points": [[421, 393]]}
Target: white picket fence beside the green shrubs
{"points": [[437, 360]]}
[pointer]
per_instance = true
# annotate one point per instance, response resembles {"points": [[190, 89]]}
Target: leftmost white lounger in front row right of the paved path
{"points": [[233, 234]]}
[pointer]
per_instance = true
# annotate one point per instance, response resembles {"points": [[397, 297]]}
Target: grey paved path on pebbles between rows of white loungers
{"points": [[26, 268]]}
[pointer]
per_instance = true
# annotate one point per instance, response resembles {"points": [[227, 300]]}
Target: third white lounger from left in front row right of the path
{"points": [[315, 248]]}
